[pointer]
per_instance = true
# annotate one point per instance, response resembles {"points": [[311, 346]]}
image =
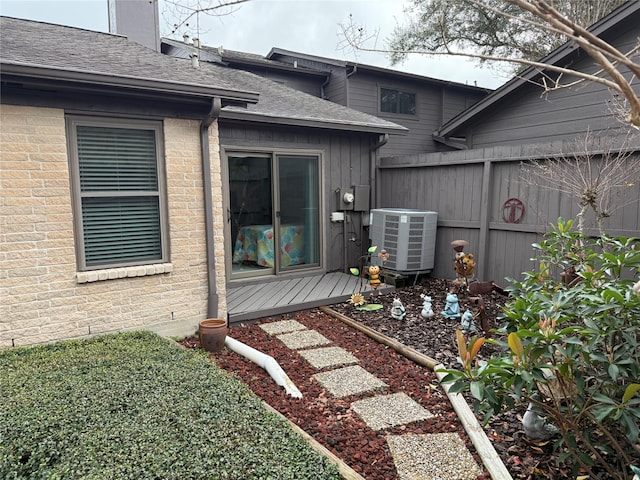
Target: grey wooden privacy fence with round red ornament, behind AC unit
{"points": [[480, 197]]}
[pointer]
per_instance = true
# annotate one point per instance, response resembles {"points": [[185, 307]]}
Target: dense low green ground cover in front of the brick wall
{"points": [[136, 406]]}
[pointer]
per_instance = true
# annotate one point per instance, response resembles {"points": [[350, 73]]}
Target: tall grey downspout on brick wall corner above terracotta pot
{"points": [[212, 297]]}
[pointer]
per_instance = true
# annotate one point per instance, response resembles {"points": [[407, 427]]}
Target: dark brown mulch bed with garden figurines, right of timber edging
{"points": [[435, 337]]}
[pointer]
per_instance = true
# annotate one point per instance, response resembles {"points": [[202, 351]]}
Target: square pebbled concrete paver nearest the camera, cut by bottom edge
{"points": [[441, 456]]}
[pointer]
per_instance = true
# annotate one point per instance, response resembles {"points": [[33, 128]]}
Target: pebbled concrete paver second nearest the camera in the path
{"points": [[384, 411]]}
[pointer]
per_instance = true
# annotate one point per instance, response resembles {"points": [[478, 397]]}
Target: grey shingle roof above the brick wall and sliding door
{"points": [[68, 49]]}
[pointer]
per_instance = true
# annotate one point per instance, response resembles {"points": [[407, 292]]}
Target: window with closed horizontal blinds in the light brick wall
{"points": [[118, 194]]}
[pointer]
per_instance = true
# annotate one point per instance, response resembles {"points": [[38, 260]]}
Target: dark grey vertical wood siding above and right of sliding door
{"points": [[346, 162]]}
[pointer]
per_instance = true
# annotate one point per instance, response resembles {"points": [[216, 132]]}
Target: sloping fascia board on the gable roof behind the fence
{"points": [[562, 52]]}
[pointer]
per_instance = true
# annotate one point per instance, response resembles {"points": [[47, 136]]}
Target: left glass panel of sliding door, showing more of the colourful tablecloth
{"points": [[250, 214]]}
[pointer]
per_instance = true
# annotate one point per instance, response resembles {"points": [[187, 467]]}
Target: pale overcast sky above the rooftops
{"points": [[306, 26]]}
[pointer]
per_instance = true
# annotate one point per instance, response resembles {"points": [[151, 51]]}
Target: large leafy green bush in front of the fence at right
{"points": [[572, 349]]}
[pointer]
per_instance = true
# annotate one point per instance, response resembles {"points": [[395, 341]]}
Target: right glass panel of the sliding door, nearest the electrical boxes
{"points": [[298, 211]]}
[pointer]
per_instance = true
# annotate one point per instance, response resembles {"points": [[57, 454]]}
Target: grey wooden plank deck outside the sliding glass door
{"points": [[257, 300]]}
